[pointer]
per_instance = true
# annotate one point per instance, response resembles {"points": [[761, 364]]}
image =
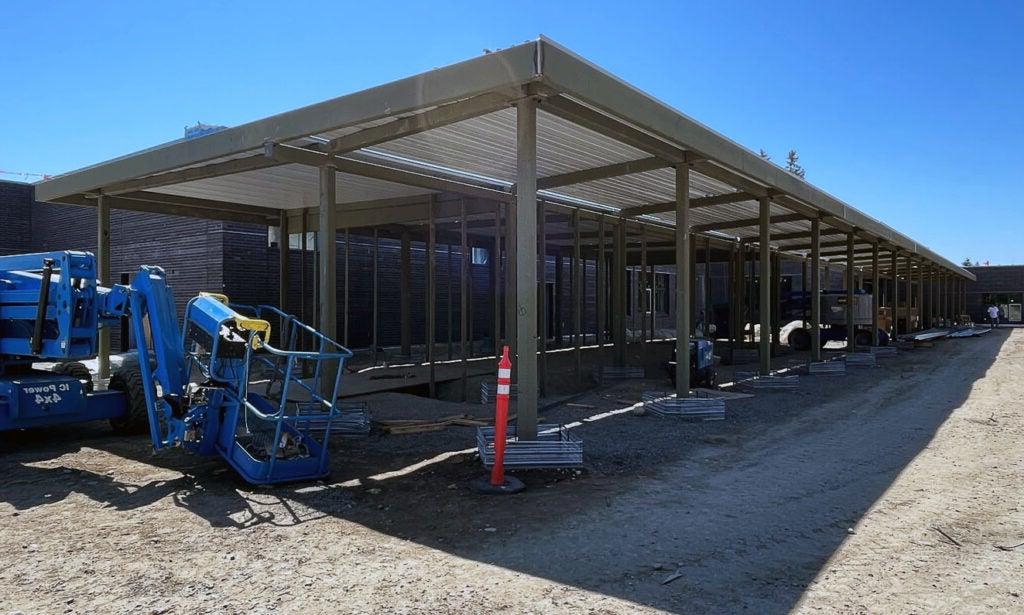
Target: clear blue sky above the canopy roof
{"points": [[910, 111]]}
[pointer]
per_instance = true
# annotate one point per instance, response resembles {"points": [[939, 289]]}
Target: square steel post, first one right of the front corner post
{"points": [[682, 285]]}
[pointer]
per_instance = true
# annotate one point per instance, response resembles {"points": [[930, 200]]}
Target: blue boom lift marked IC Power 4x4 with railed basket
{"points": [[192, 384]]}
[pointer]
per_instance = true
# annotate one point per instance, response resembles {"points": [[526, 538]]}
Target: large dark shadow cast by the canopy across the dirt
{"points": [[748, 510]]}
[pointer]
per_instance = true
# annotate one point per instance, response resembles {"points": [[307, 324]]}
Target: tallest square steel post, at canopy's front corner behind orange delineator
{"points": [[526, 241]]}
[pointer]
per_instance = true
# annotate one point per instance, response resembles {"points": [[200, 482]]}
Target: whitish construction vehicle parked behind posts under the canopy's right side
{"points": [[834, 322]]}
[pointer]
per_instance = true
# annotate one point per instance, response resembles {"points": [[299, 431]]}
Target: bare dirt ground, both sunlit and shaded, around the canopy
{"points": [[894, 490]]}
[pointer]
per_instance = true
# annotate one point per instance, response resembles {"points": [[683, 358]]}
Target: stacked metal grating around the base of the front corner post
{"points": [[556, 447]]}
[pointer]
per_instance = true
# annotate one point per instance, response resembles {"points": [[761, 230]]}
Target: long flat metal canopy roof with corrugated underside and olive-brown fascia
{"points": [[603, 146]]}
